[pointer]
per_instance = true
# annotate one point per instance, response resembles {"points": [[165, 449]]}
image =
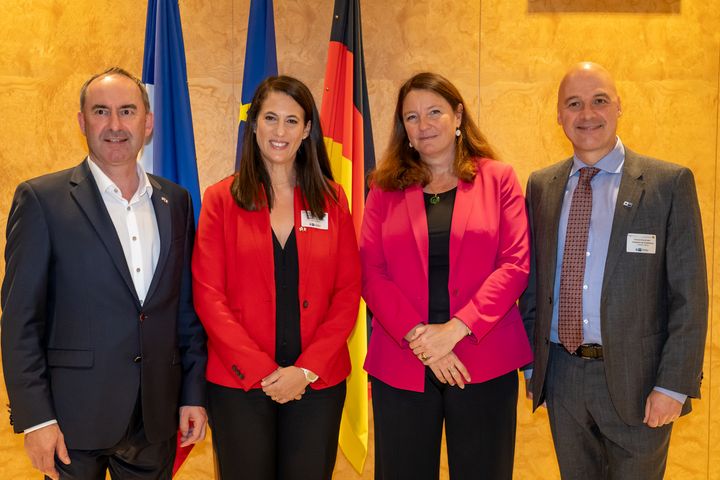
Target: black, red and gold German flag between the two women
{"points": [[345, 118]]}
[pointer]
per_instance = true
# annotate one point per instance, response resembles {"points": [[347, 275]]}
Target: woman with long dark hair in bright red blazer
{"points": [[276, 282]]}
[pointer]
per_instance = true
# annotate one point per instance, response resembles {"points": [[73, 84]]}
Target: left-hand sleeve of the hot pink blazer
{"points": [[391, 308]]}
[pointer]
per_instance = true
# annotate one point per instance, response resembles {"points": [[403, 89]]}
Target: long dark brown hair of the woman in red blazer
{"points": [[252, 188]]}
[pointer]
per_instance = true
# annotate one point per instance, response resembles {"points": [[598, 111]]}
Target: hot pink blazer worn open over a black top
{"points": [[489, 264]]}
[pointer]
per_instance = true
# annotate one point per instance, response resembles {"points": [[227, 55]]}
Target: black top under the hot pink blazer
{"points": [[438, 209]]}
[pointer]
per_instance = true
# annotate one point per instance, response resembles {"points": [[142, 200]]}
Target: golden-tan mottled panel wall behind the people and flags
{"points": [[506, 56]]}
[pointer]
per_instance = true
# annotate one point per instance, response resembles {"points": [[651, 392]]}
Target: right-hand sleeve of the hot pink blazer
{"points": [[501, 289]]}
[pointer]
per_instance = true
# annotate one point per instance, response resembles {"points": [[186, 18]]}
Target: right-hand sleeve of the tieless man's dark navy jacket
{"points": [[191, 336]]}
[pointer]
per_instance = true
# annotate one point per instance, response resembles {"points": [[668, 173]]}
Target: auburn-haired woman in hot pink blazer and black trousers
{"points": [[444, 250]]}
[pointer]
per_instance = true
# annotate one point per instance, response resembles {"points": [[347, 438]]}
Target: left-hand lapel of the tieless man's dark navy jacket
{"points": [[85, 192]]}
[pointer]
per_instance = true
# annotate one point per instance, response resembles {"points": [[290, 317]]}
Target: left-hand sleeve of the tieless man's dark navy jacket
{"points": [[24, 314]]}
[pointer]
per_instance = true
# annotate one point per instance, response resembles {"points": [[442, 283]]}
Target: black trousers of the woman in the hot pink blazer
{"points": [[479, 427]]}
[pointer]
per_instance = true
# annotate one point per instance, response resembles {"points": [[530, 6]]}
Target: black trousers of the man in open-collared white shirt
{"points": [[132, 458]]}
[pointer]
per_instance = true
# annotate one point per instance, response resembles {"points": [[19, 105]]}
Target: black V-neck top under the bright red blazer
{"points": [[287, 306]]}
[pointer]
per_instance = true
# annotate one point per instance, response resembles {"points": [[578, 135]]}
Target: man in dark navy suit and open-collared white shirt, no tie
{"points": [[102, 351]]}
